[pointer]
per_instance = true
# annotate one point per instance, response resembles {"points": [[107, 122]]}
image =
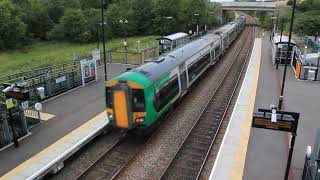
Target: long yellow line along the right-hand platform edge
{"points": [[238, 165]]}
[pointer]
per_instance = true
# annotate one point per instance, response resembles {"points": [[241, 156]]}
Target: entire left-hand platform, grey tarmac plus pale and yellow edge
{"points": [[73, 114]]}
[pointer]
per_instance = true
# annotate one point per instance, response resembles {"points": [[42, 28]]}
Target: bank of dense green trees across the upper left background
{"points": [[77, 21]]}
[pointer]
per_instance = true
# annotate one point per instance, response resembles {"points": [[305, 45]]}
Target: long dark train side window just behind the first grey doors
{"points": [[197, 67]]}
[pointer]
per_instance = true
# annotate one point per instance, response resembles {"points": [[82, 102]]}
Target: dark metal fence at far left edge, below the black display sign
{"points": [[6, 130]]}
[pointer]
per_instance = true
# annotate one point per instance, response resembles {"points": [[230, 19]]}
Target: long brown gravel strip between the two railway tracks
{"points": [[163, 144]]}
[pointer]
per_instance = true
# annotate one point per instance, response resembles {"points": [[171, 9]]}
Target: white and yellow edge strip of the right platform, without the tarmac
{"points": [[229, 163]]}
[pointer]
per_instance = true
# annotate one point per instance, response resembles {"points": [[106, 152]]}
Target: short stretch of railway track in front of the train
{"points": [[115, 159]]}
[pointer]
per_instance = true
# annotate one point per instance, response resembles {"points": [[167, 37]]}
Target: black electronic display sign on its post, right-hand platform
{"points": [[285, 121]]}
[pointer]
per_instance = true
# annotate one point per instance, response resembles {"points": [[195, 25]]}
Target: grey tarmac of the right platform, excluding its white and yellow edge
{"points": [[268, 150]]}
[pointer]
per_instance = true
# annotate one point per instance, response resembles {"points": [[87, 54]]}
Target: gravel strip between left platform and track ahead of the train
{"points": [[84, 158]]}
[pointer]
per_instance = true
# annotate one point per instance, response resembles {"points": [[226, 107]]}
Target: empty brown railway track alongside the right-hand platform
{"points": [[189, 160]]}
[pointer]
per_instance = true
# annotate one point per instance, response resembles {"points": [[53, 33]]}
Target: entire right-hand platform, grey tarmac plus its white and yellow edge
{"points": [[250, 153]]}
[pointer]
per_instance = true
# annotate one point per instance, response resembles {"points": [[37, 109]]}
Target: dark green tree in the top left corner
{"points": [[12, 29]]}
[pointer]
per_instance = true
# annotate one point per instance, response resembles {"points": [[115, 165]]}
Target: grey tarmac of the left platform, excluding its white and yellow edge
{"points": [[71, 110]]}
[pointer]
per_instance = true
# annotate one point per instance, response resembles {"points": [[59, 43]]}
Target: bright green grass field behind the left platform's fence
{"points": [[42, 54]]}
